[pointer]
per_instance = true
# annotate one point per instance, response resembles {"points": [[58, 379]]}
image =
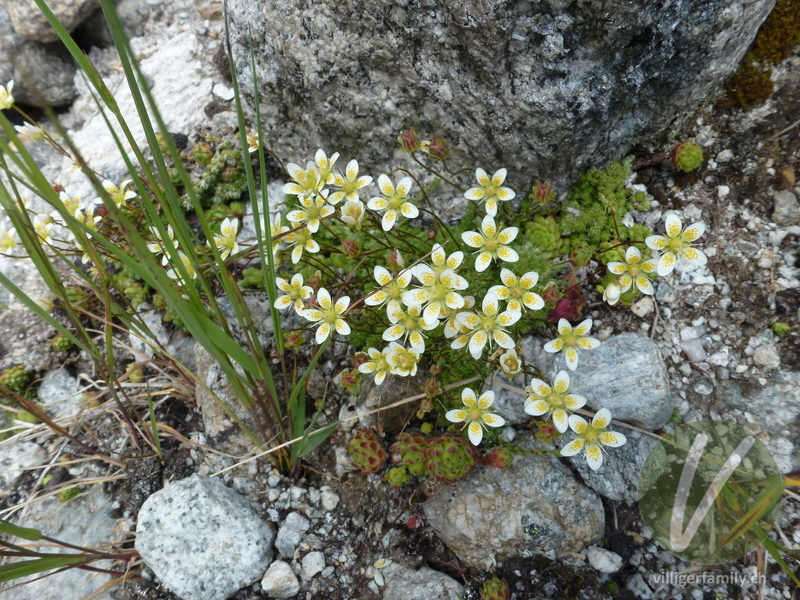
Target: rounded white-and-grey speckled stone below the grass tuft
{"points": [[203, 540]]}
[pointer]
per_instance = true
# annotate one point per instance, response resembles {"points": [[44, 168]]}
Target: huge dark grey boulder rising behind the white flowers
{"points": [[545, 88]]}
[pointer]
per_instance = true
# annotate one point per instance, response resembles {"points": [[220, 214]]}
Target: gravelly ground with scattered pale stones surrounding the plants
{"points": [[208, 526]]}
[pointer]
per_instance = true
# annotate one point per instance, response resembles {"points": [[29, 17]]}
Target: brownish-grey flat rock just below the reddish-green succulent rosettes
{"points": [[534, 507]]}
